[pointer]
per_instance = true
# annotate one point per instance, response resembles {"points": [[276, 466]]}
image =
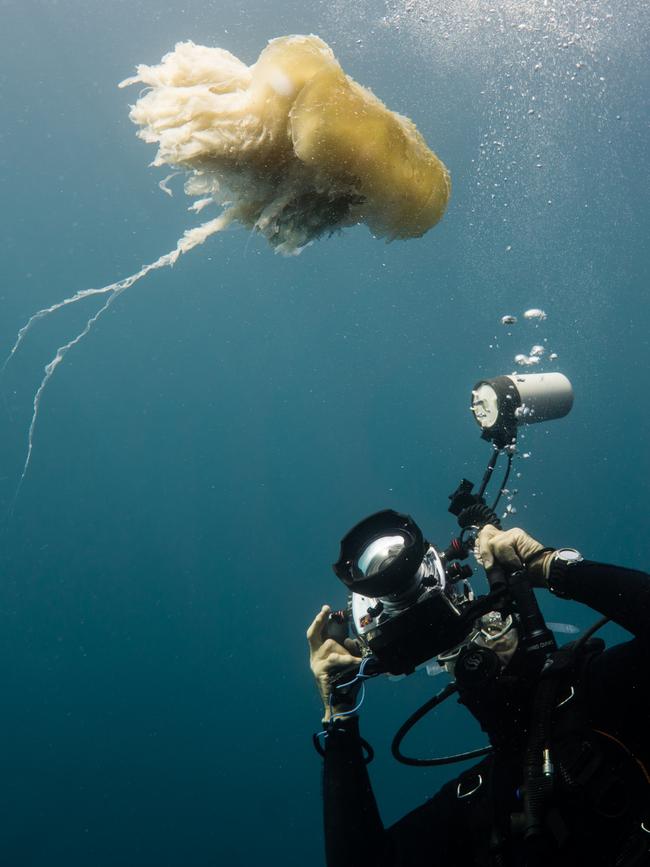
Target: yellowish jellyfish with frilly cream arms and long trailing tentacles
{"points": [[290, 147]]}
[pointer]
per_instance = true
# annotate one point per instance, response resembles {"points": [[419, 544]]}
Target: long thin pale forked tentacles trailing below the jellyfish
{"points": [[191, 238]]}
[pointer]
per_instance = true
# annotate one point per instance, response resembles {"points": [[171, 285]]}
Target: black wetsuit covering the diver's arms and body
{"points": [[613, 690]]}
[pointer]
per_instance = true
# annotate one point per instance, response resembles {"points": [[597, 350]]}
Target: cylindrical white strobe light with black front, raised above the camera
{"points": [[501, 404]]}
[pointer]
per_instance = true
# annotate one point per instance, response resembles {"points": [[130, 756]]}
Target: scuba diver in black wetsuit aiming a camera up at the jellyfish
{"points": [[566, 778]]}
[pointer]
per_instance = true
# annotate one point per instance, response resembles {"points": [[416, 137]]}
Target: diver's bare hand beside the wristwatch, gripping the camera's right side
{"points": [[511, 550]]}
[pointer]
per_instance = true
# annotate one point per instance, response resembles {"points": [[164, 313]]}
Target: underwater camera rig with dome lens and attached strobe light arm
{"points": [[410, 601]]}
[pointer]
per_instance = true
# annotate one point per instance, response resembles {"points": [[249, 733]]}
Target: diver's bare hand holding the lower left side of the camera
{"points": [[327, 658]]}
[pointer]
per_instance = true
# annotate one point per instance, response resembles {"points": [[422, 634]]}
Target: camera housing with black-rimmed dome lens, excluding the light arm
{"points": [[403, 606]]}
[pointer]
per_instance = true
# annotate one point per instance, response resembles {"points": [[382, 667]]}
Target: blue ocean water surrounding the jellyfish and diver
{"points": [[199, 456]]}
